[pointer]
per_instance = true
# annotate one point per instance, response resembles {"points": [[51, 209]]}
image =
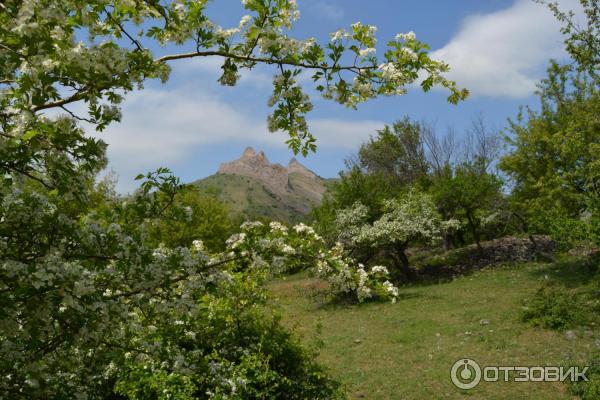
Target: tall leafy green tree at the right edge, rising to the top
{"points": [[554, 162]]}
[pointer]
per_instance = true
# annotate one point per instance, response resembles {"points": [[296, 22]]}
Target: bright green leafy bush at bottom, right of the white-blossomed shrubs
{"points": [[232, 350]]}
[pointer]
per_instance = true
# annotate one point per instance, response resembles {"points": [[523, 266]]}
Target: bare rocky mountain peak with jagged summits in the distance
{"points": [[256, 188]]}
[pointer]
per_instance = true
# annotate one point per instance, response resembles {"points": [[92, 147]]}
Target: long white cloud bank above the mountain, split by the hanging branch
{"points": [[168, 127]]}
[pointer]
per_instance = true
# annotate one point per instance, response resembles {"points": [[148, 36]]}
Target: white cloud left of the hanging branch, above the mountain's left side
{"points": [[165, 125]]}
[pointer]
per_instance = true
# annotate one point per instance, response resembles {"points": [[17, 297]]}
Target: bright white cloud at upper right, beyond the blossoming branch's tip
{"points": [[504, 53]]}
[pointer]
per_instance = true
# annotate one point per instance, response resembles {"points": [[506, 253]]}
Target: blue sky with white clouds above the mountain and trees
{"points": [[498, 49]]}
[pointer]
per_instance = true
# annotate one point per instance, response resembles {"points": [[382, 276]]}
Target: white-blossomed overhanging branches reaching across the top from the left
{"points": [[44, 66]]}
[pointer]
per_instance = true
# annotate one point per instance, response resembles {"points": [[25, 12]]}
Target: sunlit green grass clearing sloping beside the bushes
{"points": [[405, 350]]}
